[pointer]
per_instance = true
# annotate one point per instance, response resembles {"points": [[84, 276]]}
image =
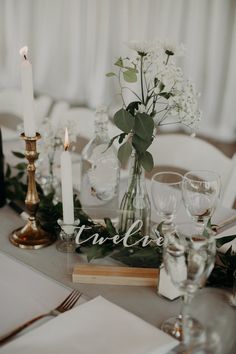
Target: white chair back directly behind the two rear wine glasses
{"points": [[188, 153]]}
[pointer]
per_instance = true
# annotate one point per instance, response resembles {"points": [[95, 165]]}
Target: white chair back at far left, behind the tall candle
{"points": [[11, 111]]}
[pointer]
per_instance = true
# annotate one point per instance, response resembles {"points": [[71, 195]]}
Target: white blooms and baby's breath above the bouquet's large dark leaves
{"points": [[162, 91]]}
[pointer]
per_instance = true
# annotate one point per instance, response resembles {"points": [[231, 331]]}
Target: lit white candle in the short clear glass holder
{"points": [[66, 183]]}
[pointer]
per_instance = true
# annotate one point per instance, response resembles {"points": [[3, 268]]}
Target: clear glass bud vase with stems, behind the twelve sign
{"points": [[135, 204]]}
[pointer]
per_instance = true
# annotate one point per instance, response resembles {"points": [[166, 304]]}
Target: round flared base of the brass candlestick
{"points": [[31, 236]]}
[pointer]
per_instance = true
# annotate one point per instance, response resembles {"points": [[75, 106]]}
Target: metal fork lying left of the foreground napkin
{"points": [[66, 305]]}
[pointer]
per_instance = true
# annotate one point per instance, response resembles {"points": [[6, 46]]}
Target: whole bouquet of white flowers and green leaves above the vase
{"points": [[163, 97]]}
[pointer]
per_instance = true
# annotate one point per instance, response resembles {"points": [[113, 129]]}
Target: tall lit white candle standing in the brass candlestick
{"points": [[27, 94]]}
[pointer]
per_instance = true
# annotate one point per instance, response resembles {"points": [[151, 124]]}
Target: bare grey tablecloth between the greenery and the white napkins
{"points": [[142, 301]]}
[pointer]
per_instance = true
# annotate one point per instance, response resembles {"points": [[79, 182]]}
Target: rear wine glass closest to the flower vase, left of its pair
{"points": [[166, 196]]}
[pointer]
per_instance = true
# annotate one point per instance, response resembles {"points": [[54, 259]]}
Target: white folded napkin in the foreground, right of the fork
{"points": [[96, 327]]}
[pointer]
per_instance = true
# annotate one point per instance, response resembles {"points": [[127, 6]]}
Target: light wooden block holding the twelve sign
{"points": [[113, 275]]}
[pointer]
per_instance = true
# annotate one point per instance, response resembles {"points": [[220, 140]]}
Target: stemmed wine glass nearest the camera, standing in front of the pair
{"points": [[189, 259]]}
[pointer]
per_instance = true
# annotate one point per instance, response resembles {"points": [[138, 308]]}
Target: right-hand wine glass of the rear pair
{"points": [[201, 190]]}
